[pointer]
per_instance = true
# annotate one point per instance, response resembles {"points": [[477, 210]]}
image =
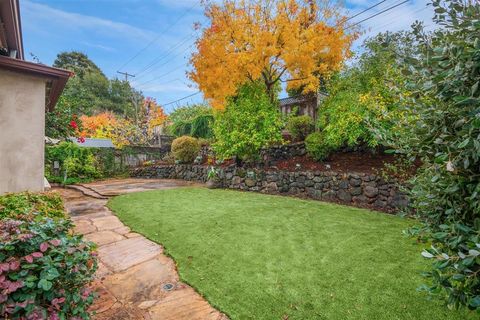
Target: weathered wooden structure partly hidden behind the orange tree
{"points": [[303, 104]]}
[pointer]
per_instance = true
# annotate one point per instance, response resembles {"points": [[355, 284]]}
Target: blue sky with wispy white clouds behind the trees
{"points": [[111, 32]]}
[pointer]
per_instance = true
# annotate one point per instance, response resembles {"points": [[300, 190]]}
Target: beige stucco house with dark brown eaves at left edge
{"points": [[26, 90]]}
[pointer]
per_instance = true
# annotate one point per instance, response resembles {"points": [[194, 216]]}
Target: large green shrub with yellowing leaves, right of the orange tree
{"points": [[362, 105]]}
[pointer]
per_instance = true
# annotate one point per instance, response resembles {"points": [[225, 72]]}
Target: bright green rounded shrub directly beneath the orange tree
{"points": [[249, 122]]}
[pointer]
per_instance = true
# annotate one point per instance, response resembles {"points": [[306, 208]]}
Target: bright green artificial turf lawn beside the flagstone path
{"points": [[256, 256]]}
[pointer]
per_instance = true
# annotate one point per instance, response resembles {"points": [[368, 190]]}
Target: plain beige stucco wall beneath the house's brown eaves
{"points": [[22, 131]]}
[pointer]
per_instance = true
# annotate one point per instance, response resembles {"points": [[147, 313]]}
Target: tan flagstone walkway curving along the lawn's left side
{"points": [[135, 280]]}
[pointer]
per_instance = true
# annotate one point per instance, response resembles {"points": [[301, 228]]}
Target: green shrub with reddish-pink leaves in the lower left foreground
{"points": [[44, 269]]}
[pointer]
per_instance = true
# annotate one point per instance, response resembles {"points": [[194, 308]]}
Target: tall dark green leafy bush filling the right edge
{"points": [[444, 78]]}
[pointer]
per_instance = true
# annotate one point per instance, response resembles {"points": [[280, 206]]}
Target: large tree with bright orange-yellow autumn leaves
{"points": [[295, 41]]}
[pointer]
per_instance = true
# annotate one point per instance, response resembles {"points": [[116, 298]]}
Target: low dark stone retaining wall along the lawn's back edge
{"points": [[358, 189]]}
